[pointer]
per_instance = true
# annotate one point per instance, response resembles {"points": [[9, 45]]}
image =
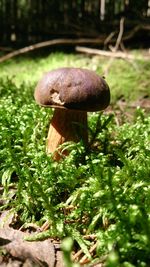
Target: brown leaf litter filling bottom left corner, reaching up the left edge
{"points": [[16, 251]]}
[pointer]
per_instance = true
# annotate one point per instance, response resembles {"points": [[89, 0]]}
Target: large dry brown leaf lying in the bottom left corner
{"points": [[42, 253]]}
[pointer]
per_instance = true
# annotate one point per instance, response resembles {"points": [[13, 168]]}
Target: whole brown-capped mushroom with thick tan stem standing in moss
{"points": [[72, 92]]}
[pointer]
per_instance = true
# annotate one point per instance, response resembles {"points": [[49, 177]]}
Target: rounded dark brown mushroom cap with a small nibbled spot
{"points": [[73, 88]]}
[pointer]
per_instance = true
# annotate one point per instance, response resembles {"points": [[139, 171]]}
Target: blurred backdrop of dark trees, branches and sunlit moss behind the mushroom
{"points": [[110, 37]]}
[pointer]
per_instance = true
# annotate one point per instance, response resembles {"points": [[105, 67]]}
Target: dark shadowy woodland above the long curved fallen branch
{"points": [[25, 22]]}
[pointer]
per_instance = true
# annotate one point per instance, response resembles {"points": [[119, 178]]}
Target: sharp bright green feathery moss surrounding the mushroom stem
{"points": [[101, 190]]}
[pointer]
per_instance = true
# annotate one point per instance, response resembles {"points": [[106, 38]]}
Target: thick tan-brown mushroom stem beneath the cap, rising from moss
{"points": [[66, 125]]}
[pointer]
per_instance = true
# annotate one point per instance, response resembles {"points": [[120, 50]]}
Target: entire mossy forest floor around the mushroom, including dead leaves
{"points": [[130, 105]]}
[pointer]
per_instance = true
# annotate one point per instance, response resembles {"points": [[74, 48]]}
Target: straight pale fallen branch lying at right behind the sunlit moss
{"points": [[117, 54]]}
